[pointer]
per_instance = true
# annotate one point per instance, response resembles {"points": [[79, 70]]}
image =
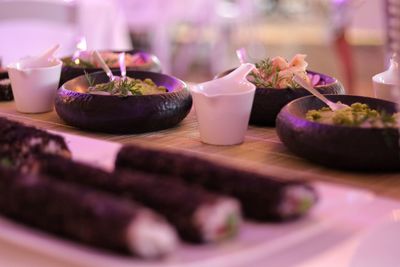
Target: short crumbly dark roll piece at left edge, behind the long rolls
{"points": [[19, 141]]}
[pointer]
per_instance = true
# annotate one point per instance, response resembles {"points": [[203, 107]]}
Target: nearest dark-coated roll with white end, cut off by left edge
{"points": [[82, 214]]}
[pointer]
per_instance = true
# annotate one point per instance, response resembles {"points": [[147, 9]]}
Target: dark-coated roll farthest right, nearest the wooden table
{"points": [[262, 197]]}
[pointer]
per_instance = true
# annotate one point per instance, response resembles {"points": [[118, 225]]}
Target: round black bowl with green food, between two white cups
{"points": [[130, 114]]}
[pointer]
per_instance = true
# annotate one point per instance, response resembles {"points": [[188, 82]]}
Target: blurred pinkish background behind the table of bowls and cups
{"points": [[197, 39]]}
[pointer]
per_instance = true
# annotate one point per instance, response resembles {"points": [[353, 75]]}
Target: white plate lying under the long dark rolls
{"points": [[334, 220]]}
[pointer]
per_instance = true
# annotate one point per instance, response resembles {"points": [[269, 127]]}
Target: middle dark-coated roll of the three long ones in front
{"points": [[188, 208]]}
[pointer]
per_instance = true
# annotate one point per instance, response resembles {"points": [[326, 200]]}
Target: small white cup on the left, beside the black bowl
{"points": [[34, 84]]}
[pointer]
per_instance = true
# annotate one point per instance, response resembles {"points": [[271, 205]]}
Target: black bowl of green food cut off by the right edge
{"points": [[345, 147]]}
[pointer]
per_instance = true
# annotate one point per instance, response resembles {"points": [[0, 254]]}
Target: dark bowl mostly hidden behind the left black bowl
{"points": [[70, 72]]}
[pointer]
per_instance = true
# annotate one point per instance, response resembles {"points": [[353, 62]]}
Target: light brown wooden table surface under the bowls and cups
{"points": [[262, 151]]}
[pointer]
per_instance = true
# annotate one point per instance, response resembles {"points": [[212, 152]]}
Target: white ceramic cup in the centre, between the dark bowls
{"points": [[223, 114]]}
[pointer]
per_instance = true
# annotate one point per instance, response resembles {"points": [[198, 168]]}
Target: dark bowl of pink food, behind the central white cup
{"points": [[269, 101]]}
